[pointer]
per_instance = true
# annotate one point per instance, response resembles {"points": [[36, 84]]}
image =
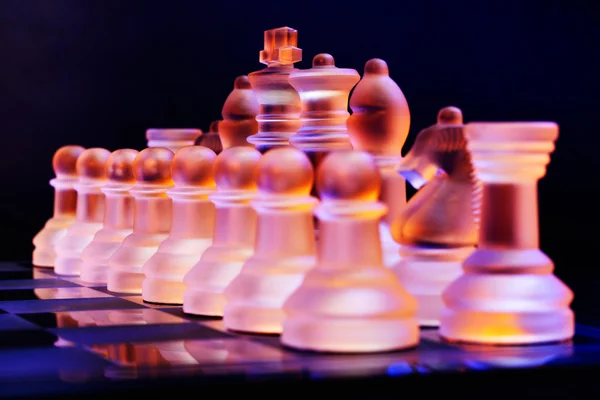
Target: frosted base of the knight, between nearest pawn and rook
{"points": [[426, 273]]}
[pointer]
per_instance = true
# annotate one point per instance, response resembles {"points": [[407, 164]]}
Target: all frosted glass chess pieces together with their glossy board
{"points": [[281, 243]]}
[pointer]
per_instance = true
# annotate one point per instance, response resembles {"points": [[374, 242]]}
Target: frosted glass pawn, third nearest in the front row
{"points": [[235, 232]]}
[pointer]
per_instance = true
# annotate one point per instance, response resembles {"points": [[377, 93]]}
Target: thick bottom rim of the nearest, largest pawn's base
{"points": [[360, 335]]}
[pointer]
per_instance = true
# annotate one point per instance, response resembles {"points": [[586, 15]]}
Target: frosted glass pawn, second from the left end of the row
{"points": [[91, 172]]}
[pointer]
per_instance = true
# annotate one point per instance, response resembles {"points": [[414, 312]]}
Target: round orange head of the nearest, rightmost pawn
{"points": [[348, 175]]}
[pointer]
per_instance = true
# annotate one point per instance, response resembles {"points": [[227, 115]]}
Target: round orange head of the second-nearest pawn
{"points": [[285, 170]]}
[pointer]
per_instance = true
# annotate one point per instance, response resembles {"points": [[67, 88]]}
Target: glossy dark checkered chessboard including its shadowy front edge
{"points": [[60, 337]]}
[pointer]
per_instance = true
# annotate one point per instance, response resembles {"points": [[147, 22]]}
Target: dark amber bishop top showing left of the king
{"points": [[239, 115]]}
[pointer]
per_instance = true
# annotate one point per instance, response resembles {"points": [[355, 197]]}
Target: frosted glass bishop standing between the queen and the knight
{"points": [[379, 125]]}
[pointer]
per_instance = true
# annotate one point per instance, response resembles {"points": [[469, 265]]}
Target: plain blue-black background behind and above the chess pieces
{"points": [[99, 72]]}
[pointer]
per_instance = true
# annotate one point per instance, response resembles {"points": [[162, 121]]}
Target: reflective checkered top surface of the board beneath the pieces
{"points": [[59, 329]]}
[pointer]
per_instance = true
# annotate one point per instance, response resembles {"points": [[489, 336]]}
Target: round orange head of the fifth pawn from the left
{"points": [[193, 166]]}
